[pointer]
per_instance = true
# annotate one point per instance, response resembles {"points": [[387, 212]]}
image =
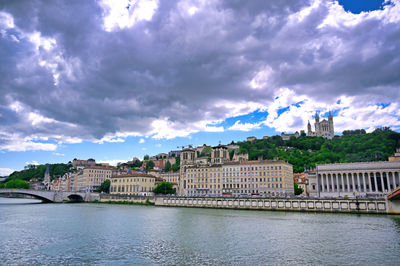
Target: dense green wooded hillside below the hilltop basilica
{"points": [[306, 152]]}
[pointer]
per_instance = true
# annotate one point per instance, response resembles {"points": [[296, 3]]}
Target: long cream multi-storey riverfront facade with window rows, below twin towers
{"points": [[240, 179]]}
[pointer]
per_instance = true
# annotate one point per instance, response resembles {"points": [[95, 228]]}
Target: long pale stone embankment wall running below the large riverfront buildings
{"points": [[379, 206]]}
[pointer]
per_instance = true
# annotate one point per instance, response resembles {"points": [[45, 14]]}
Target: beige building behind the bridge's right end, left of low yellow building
{"points": [[90, 178]]}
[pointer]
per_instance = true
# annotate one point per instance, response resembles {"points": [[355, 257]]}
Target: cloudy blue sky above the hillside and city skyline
{"points": [[112, 80]]}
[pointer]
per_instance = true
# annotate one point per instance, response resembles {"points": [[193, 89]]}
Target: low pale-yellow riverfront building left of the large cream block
{"points": [[133, 184]]}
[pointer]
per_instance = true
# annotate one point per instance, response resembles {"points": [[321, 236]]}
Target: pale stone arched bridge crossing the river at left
{"points": [[50, 195]]}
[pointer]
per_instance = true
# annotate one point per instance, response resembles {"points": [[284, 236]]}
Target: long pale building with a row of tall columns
{"points": [[362, 178]]}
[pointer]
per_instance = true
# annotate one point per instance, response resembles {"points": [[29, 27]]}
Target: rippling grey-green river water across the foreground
{"points": [[75, 234]]}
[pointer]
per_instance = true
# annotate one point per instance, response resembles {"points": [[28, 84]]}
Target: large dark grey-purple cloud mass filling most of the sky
{"points": [[180, 67]]}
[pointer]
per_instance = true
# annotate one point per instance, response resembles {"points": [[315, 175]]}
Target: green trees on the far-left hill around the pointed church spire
{"points": [[37, 171]]}
